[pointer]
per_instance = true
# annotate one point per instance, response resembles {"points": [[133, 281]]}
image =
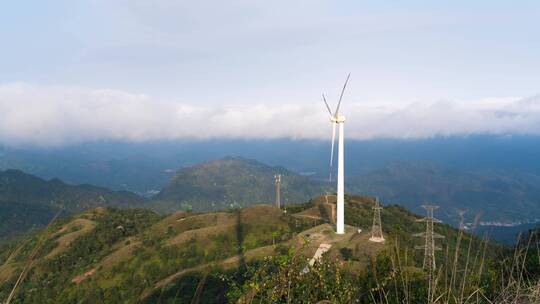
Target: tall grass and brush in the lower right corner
{"points": [[466, 275]]}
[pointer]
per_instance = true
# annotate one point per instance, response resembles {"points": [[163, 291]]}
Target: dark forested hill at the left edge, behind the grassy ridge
{"points": [[28, 201]]}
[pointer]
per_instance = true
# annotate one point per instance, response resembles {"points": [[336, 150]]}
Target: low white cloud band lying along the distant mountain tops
{"points": [[57, 115]]}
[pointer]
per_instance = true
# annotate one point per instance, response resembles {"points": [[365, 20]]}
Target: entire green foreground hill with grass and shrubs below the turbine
{"points": [[260, 255]]}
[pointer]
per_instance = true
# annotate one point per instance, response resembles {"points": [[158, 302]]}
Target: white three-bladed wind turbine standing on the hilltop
{"points": [[337, 119]]}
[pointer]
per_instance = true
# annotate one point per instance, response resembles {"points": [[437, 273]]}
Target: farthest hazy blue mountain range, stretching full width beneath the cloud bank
{"points": [[148, 166]]}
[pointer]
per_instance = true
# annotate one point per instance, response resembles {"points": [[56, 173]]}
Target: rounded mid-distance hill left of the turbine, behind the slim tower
{"points": [[232, 181]]}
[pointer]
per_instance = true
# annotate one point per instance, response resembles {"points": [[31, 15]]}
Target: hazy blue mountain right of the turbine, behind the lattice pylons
{"points": [[493, 195]]}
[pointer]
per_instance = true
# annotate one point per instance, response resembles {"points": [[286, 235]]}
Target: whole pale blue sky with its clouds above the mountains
{"points": [[246, 55]]}
